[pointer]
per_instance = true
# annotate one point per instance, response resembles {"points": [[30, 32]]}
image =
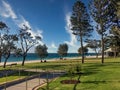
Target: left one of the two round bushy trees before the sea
{"points": [[41, 51]]}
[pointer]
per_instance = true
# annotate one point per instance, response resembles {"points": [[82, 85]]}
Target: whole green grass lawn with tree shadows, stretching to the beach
{"points": [[95, 76]]}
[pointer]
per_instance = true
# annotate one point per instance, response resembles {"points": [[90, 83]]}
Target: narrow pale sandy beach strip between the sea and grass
{"points": [[48, 60]]}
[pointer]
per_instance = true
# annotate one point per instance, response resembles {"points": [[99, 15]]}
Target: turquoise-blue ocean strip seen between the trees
{"points": [[34, 56]]}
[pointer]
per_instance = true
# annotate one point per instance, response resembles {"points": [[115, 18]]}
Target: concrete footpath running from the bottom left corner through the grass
{"points": [[31, 83]]}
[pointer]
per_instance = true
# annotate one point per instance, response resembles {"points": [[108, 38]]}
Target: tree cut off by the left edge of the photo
{"points": [[3, 30]]}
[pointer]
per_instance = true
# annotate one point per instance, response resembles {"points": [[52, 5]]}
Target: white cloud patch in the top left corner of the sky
{"points": [[7, 11]]}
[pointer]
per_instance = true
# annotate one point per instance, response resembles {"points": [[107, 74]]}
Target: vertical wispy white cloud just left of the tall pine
{"points": [[73, 40]]}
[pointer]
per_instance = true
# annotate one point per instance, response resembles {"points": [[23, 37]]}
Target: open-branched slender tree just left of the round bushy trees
{"points": [[27, 41]]}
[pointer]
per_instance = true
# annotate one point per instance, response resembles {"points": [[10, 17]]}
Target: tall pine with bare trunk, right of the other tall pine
{"points": [[104, 14]]}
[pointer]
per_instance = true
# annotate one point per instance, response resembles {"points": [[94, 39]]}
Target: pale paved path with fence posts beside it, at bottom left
{"points": [[33, 82]]}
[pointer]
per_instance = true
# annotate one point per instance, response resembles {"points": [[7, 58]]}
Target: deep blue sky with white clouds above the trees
{"points": [[49, 19]]}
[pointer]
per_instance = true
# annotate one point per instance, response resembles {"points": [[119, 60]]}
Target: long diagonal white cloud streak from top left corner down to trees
{"points": [[6, 11]]}
